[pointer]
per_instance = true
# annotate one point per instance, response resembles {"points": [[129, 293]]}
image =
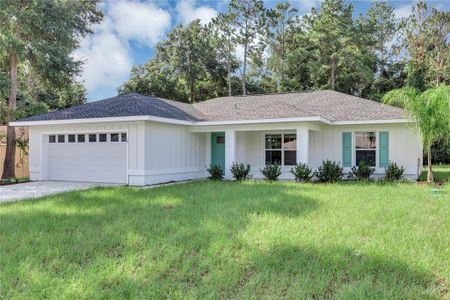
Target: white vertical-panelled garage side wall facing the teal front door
{"points": [[173, 153]]}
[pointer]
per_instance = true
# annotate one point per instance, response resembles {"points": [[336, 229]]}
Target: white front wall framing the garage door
{"points": [[38, 142]]}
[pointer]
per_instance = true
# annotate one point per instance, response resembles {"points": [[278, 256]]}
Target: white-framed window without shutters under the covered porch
{"points": [[281, 148]]}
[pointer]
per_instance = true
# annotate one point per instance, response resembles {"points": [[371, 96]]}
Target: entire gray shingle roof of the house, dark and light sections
{"points": [[332, 105]]}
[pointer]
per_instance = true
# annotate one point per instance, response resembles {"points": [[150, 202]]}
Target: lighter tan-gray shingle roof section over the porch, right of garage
{"points": [[331, 105]]}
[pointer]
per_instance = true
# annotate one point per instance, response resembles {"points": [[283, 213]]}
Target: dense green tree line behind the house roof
{"points": [[252, 49]]}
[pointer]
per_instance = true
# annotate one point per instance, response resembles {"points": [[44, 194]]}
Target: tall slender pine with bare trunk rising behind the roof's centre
{"points": [[247, 16]]}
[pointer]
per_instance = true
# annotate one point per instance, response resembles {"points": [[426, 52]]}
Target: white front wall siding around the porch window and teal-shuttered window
{"points": [[404, 147]]}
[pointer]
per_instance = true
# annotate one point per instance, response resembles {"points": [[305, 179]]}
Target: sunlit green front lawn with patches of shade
{"points": [[229, 240]]}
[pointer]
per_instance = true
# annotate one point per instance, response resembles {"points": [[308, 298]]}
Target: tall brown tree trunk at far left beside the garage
{"points": [[9, 164]]}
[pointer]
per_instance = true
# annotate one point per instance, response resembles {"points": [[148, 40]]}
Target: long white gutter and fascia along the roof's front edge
{"points": [[203, 123]]}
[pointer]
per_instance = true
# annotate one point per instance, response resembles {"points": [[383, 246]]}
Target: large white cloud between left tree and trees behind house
{"points": [[107, 54]]}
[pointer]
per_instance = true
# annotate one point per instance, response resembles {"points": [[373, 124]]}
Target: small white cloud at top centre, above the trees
{"points": [[187, 12]]}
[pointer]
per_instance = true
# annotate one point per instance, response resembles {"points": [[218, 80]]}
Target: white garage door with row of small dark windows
{"points": [[88, 157]]}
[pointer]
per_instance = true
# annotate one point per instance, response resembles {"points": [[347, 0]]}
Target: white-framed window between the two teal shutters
{"points": [[366, 147]]}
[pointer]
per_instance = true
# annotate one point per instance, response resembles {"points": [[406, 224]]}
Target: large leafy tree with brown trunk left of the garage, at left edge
{"points": [[43, 34]]}
